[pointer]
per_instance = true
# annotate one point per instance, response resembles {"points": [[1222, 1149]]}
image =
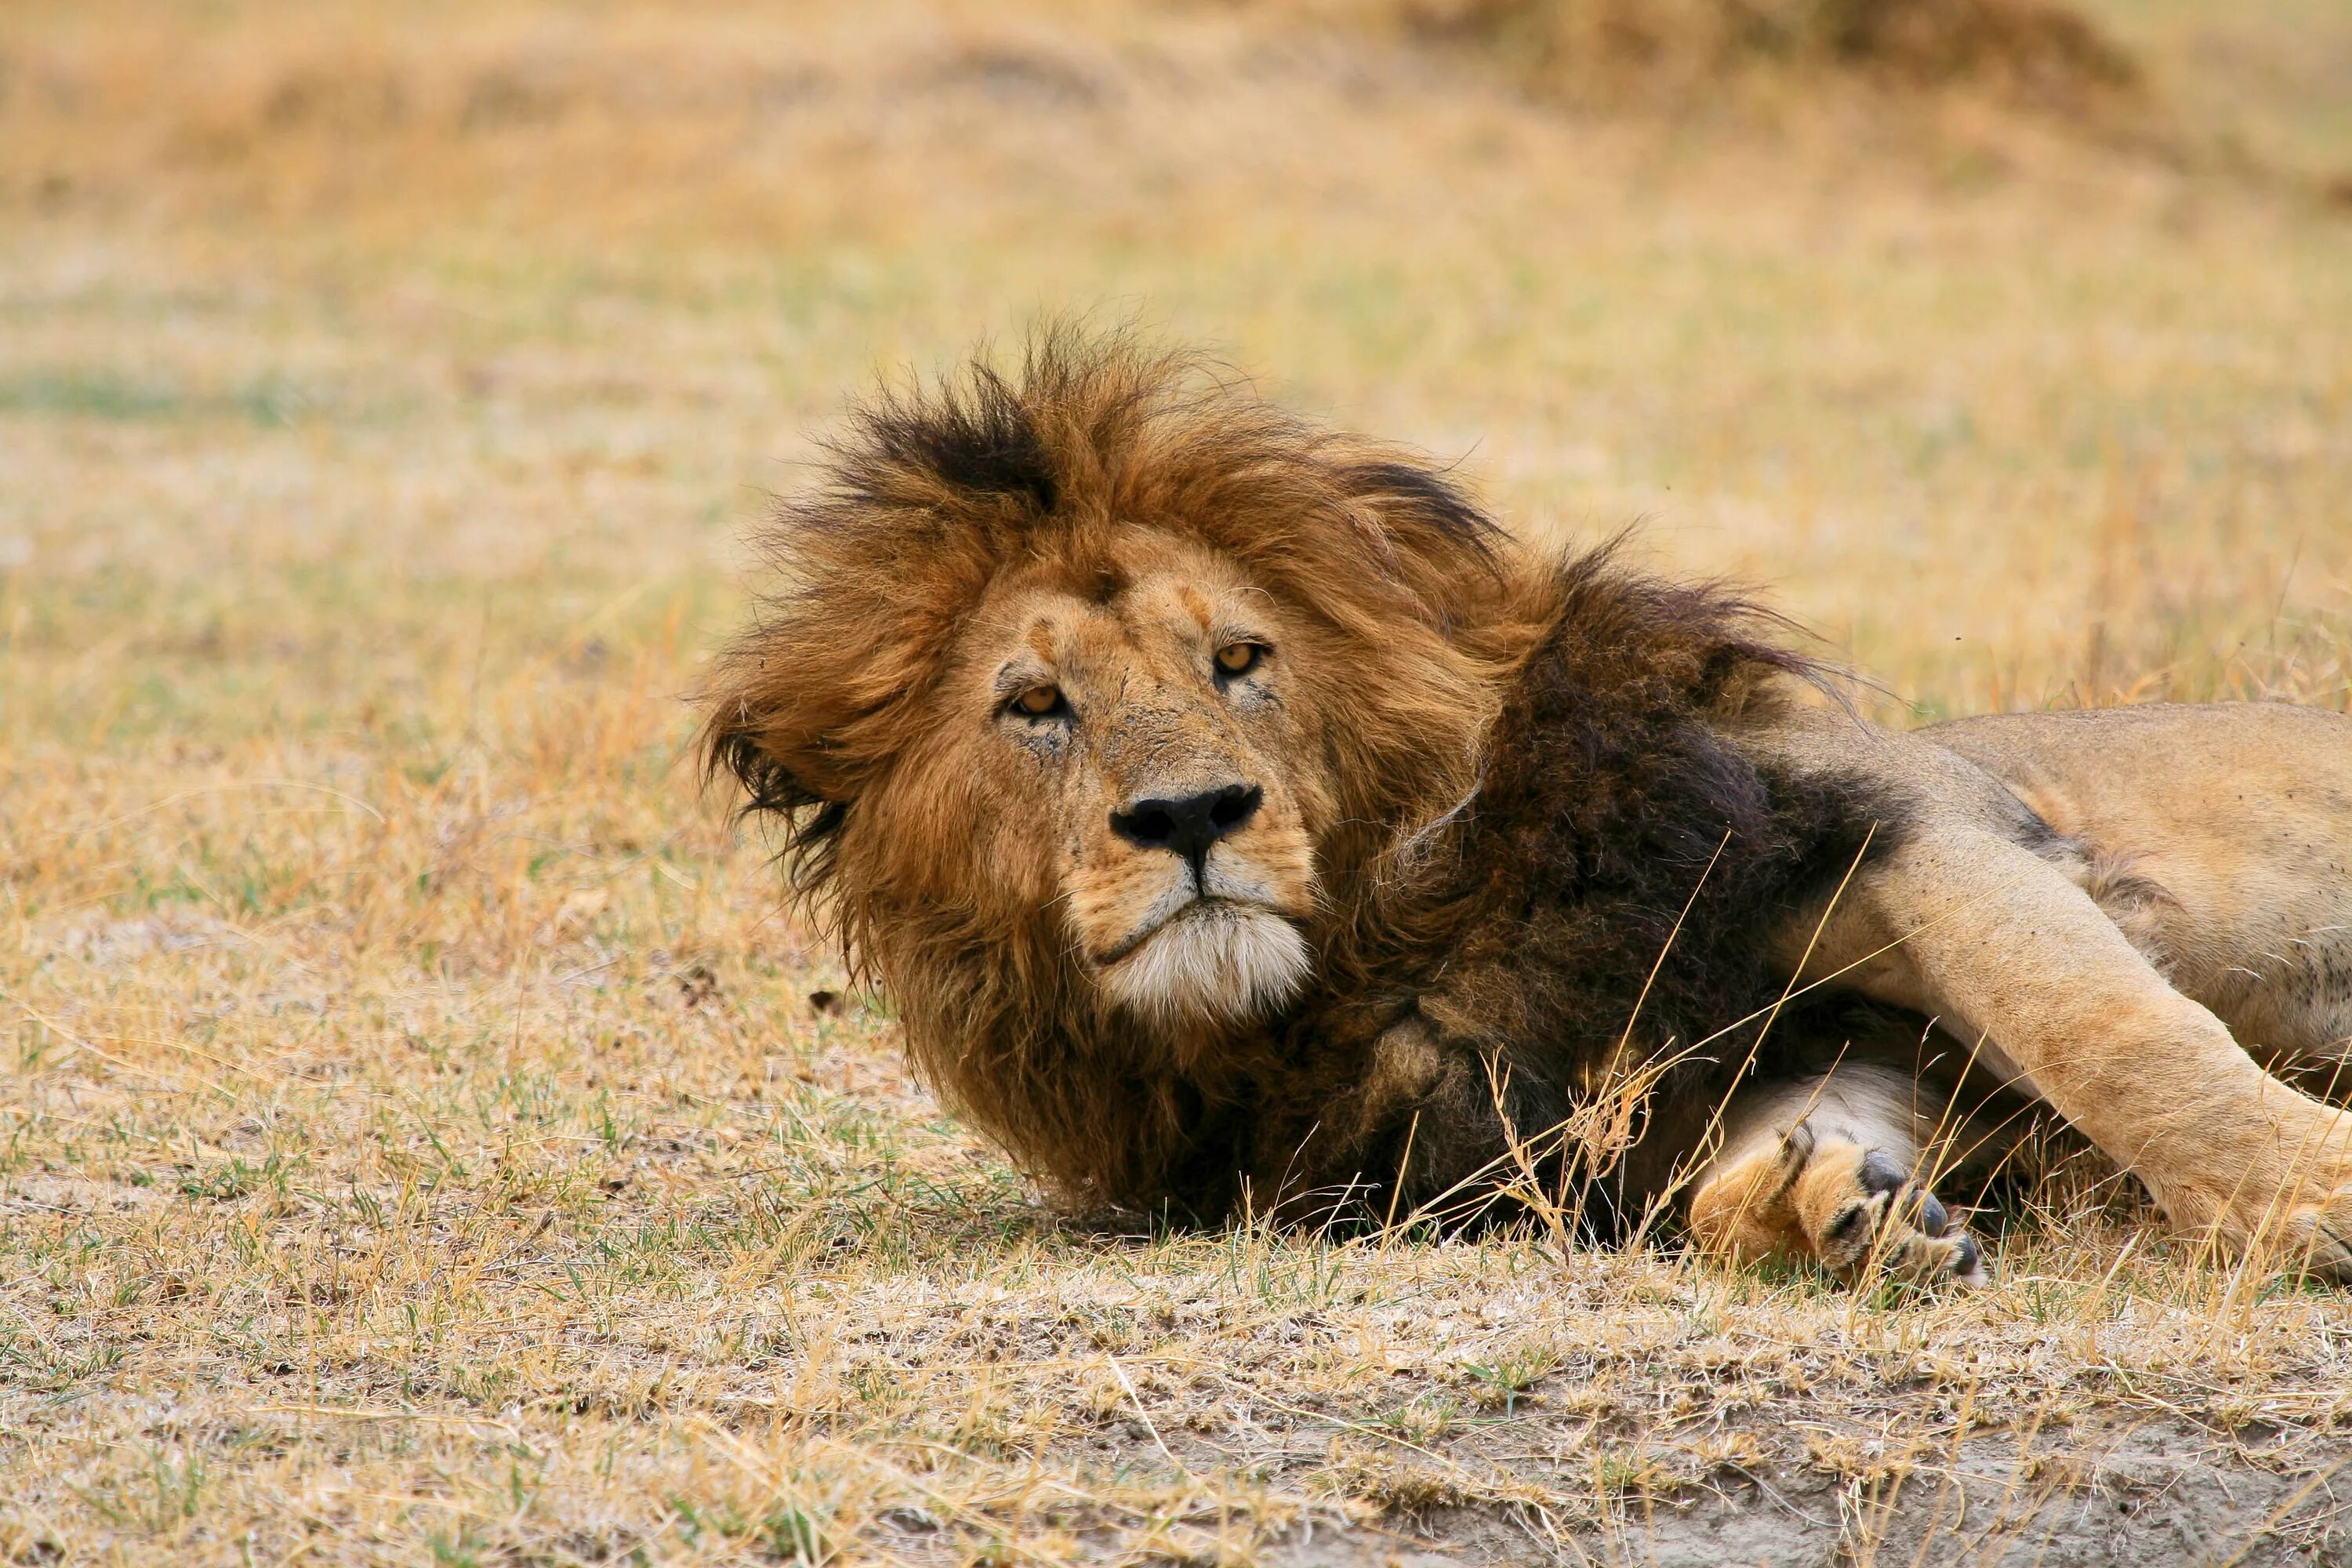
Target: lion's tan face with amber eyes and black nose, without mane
{"points": [[1144, 760]]}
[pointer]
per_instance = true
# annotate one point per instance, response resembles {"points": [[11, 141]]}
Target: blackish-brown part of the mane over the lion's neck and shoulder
{"points": [[1598, 918]]}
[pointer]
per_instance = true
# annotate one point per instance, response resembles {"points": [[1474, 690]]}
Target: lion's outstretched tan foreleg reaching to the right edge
{"points": [[2005, 949]]}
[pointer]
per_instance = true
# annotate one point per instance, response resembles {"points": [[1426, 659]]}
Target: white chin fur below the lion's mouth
{"points": [[1215, 963]]}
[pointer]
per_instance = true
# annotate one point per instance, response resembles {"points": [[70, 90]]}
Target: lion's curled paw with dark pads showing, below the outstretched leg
{"points": [[1826, 1170]]}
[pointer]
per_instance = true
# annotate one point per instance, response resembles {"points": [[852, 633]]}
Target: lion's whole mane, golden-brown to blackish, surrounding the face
{"points": [[1546, 864]]}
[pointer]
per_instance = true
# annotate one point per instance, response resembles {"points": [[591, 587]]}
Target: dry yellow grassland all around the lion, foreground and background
{"points": [[427, 1139]]}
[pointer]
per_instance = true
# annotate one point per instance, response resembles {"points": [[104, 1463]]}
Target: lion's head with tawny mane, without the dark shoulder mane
{"points": [[1102, 704]]}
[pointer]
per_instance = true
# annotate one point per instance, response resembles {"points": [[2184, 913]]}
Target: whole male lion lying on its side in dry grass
{"points": [[1243, 819]]}
